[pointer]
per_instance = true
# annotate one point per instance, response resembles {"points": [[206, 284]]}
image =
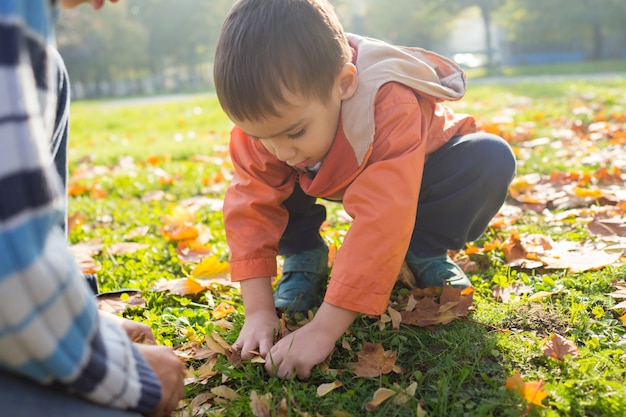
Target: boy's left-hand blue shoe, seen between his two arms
{"points": [[304, 277]]}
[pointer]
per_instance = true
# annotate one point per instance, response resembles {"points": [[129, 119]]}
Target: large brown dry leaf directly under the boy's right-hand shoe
{"points": [[453, 303]]}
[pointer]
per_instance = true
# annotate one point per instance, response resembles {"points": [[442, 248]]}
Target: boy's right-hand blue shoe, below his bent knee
{"points": [[436, 272]]}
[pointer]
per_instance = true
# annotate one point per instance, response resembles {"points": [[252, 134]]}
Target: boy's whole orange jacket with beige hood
{"points": [[375, 165]]}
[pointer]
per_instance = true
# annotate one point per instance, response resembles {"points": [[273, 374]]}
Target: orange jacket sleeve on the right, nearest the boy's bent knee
{"points": [[382, 201]]}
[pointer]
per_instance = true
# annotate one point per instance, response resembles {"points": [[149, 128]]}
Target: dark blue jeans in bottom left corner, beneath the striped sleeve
{"points": [[20, 397]]}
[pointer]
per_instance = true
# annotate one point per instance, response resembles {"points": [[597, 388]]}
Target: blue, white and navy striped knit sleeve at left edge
{"points": [[50, 331]]}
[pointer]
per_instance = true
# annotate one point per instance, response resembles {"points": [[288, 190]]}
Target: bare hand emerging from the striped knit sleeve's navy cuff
{"points": [[169, 369]]}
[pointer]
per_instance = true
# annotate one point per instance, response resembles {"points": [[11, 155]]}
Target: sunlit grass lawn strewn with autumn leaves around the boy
{"points": [[146, 188]]}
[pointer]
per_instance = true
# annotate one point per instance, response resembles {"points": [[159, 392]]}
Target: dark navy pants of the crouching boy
{"points": [[465, 183]]}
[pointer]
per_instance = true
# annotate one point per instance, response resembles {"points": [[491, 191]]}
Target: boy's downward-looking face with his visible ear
{"points": [[305, 130]]}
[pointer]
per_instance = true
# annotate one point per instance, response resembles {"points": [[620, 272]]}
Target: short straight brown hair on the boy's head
{"points": [[269, 47]]}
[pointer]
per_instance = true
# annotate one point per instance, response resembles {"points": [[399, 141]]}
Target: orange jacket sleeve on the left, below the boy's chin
{"points": [[254, 216]]}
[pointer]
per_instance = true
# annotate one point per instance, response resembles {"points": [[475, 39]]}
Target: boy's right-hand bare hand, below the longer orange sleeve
{"points": [[297, 353]]}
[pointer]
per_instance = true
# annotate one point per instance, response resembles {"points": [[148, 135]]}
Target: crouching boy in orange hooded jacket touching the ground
{"points": [[319, 113]]}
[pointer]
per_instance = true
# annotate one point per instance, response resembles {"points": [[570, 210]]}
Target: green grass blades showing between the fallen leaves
{"points": [[460, 368]]}
